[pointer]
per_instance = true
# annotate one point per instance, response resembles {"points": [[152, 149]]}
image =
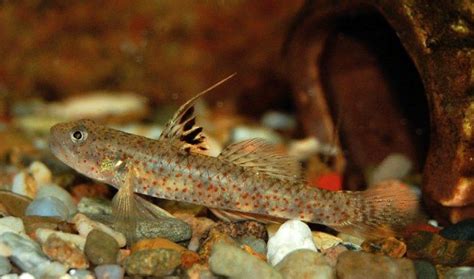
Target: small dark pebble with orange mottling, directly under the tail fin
{"points": [[390, 246]]}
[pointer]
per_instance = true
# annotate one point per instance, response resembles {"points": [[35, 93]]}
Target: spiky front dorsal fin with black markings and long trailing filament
{"points": [[182, 128]]}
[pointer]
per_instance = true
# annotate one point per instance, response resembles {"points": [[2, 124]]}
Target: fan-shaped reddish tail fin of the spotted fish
{"points": [[385, 210]]}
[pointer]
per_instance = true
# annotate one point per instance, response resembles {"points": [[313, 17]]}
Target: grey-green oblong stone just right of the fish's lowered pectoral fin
{"points": [[173, 229]]}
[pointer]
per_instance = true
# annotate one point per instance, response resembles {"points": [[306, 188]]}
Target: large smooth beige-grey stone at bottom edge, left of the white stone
{"points": [[233, 262]]}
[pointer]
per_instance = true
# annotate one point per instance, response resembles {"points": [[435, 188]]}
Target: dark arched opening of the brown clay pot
{"points": [[374, 94]]}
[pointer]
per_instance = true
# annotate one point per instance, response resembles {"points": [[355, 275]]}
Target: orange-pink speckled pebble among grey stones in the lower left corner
{"points": [[64, 252]]}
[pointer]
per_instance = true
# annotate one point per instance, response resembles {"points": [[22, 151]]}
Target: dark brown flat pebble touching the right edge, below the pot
{"points": [[439, 250]]}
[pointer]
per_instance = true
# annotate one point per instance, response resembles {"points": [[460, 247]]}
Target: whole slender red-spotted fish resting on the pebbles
{"points": [[250, 179]]}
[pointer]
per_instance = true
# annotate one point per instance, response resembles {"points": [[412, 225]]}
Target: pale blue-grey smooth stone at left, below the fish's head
{"points": [[48, 206]]}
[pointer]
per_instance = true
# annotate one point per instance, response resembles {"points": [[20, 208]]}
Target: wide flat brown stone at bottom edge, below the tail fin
{"points": [[364, 265]]}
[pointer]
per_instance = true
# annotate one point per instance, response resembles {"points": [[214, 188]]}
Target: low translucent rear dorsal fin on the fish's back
{"points": [[262, 157]]}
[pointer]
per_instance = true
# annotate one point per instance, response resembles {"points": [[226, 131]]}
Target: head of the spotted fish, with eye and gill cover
{"points": [[88, 148]]}
